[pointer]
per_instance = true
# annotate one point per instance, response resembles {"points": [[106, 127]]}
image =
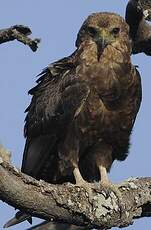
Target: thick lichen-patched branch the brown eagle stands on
{"points": [[70, 204]]}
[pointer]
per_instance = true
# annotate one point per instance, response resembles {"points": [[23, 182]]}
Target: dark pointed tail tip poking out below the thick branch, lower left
{"points": [[19, 217]]}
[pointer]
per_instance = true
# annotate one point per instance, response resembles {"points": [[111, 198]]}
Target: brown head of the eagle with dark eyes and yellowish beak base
{"points": [[104, 29]]}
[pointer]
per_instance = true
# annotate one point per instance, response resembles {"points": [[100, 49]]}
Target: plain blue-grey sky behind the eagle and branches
{"points": [[57, 22]]}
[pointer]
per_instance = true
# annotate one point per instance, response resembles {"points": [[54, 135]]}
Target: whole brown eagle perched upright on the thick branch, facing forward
{"points": [[83, 107]]}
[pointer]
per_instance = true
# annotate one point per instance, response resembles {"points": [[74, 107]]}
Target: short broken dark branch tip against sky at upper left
{"points": [[20, 33]]}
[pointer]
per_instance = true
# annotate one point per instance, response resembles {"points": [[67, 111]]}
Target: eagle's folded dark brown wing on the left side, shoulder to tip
{"points": [[58, 97]]}
